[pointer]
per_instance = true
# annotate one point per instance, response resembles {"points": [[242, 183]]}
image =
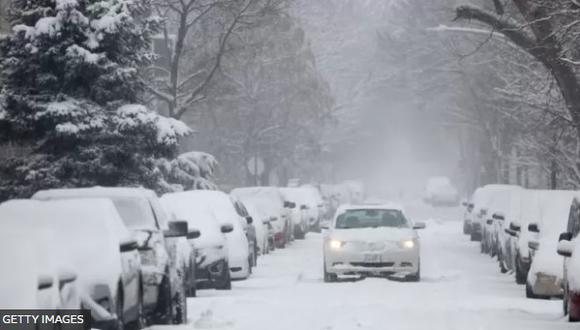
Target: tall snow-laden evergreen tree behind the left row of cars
{"points": [[70, 94]]}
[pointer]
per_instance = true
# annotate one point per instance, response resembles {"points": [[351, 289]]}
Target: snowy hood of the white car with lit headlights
{"points": [[373, 234]]}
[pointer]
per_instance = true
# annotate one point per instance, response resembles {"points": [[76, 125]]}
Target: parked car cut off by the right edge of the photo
{"points": [[569, 249]]}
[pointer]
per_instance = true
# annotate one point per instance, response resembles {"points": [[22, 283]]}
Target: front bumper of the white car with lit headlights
{"points": [[373, 263]]}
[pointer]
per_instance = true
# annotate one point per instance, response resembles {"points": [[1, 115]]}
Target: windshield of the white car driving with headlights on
{"points": [[371, 218]]}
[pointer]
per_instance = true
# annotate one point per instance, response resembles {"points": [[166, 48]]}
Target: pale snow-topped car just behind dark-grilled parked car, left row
{"points": [[221, 205]]}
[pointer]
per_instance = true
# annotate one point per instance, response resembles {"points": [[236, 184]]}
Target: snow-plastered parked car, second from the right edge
{"points": [[546, 270]]}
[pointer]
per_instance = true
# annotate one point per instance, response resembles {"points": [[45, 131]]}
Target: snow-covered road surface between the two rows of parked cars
{"points": [[461, 289]]}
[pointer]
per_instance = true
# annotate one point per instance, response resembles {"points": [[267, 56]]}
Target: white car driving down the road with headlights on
{"points": [[376, 240]]}
